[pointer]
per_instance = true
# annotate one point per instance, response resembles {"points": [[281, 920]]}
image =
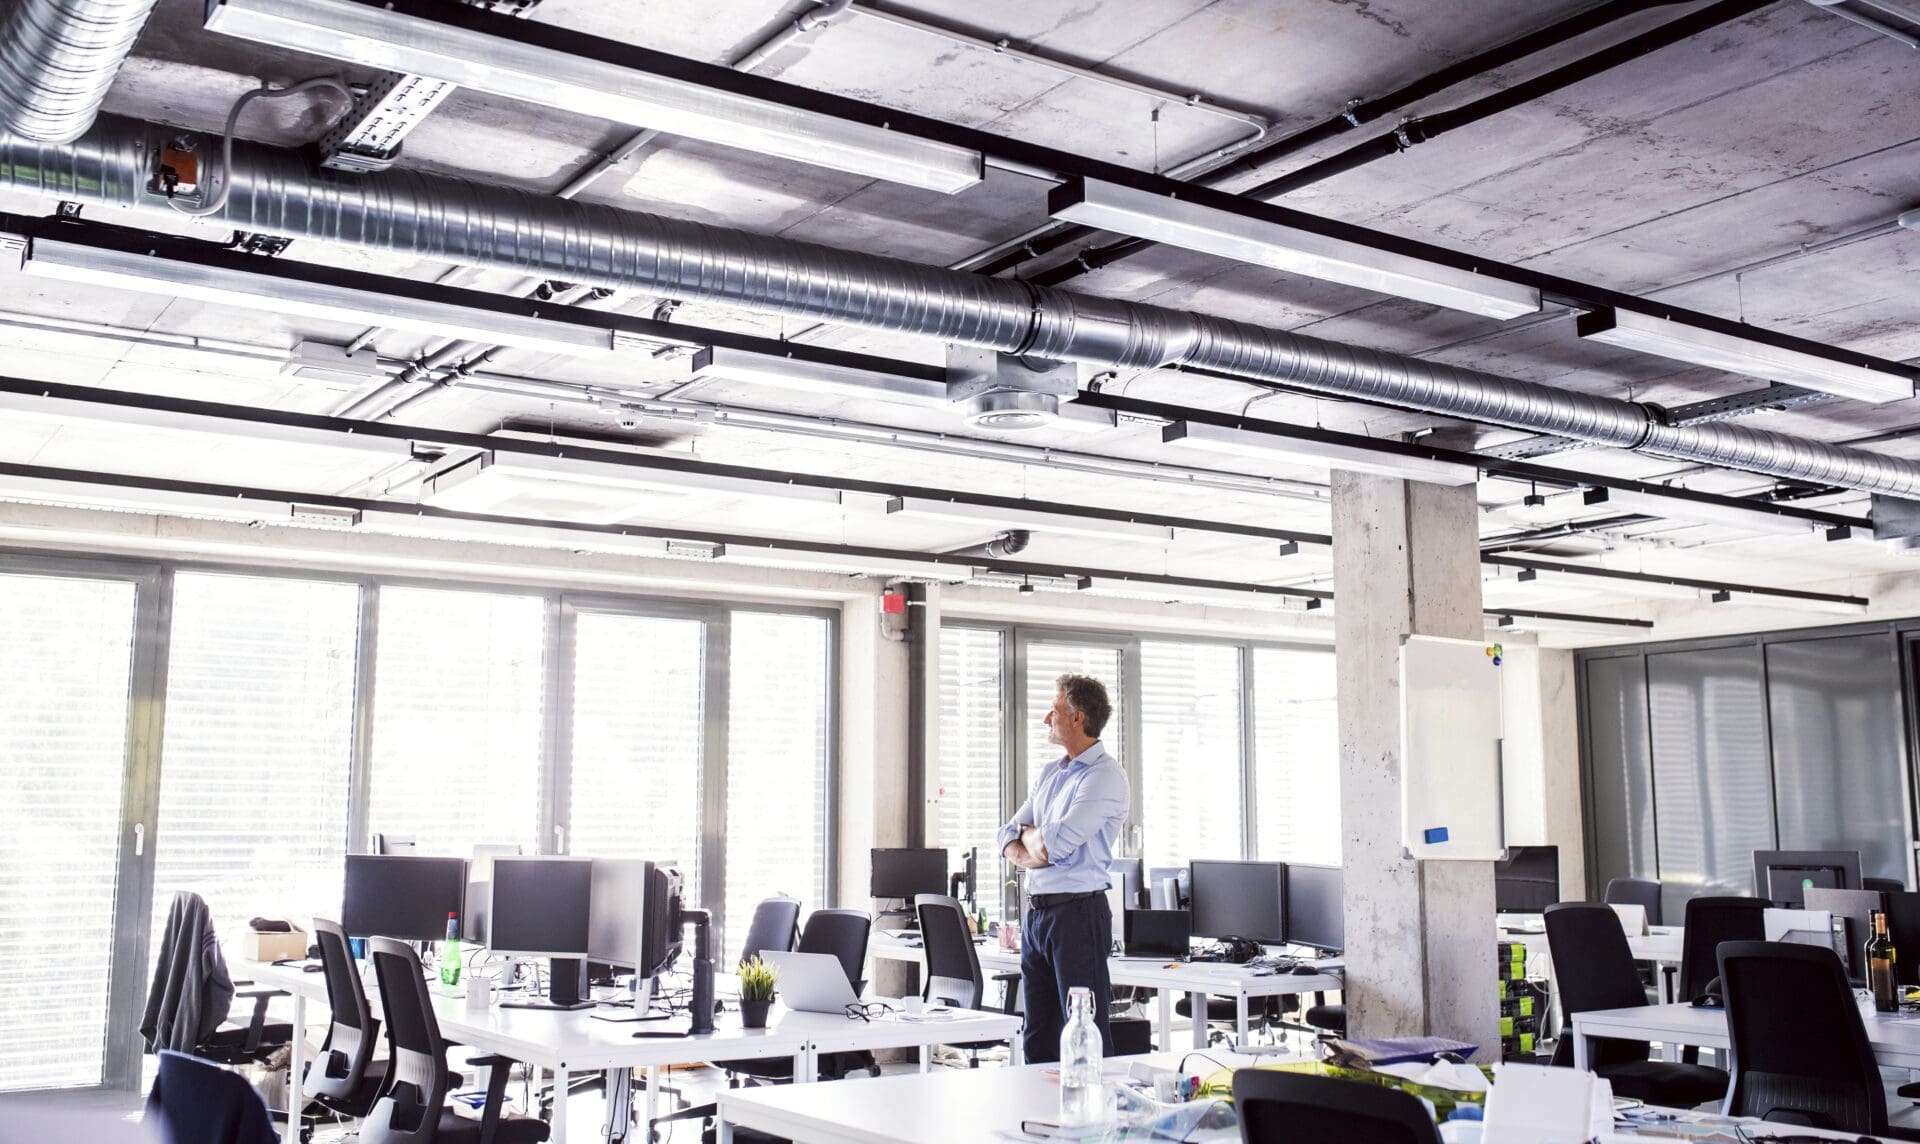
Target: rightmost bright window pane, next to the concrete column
{"points": [[1297, 757]]}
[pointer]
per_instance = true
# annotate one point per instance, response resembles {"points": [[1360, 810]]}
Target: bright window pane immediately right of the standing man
{"points": [[1191, 790]]}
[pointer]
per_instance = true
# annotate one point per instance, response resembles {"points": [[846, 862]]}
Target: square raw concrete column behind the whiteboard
{"points": [[1420, 936]]}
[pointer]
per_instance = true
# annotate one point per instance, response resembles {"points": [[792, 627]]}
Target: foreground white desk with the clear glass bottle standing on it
{"points": [[940, 1108]]}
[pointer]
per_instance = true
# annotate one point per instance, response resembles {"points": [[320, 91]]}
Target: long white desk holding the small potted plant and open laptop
{"points": [[565, 1043]]}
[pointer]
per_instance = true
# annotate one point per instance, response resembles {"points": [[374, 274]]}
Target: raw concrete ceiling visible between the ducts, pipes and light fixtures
{"points": [[1760, 141]]}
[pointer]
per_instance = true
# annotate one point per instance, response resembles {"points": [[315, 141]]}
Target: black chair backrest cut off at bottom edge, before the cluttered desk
{"points": [[1287, 1108]]}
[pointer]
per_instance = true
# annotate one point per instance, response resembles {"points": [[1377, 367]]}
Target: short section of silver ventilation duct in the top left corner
{"points": [[59, 59]]}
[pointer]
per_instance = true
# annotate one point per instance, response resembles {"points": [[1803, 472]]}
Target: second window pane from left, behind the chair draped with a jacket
{"points": [[258, 748]]}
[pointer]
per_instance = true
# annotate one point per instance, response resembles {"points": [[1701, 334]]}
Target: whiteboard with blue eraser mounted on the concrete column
{"points": [[1451, 728]]}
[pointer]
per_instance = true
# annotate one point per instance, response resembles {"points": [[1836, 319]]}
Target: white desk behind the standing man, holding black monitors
{"points": [[1199, 980]]}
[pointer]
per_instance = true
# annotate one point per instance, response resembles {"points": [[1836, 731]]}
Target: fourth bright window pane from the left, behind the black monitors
{"points": [[638, 740]]}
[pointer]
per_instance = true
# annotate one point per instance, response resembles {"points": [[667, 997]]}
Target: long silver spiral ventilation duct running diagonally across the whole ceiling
{"points": [[464, 222]]}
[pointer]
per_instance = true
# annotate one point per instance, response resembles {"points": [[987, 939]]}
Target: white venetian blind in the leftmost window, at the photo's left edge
{"points": [[66, 654]]}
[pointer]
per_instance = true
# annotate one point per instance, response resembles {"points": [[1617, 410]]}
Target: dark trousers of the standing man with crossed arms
{"points": [[1065, 947]]}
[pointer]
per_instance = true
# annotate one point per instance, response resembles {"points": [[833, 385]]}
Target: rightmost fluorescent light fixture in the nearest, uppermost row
{"points": [[1742, 356]]}
